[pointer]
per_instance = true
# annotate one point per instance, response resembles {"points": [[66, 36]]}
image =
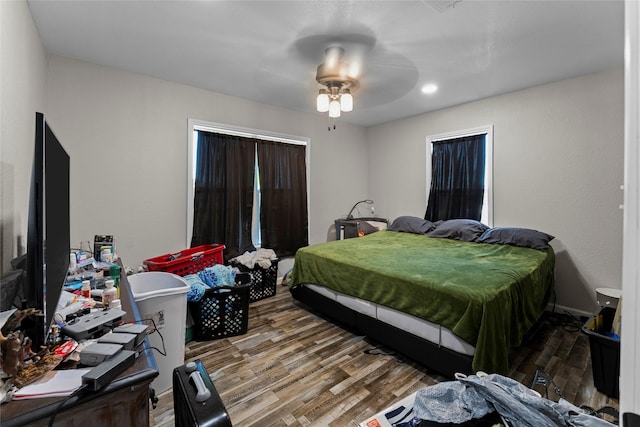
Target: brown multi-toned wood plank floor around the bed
{"points": [[294, 368]]}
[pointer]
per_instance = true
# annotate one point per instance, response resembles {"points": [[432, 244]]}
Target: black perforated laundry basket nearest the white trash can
{"points": [[223, 311]]}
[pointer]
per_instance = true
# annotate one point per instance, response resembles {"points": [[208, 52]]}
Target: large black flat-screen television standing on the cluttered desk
{"points": [[48, 231]]}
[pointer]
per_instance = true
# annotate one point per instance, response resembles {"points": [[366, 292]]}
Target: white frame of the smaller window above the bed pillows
{"points": [[487, 131]]}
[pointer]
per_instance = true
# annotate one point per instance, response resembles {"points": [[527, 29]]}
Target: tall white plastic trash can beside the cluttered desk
{"points": [[162, 297]]}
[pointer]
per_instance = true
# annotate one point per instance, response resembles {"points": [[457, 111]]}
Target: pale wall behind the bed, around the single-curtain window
{"points": [[558, 167]]}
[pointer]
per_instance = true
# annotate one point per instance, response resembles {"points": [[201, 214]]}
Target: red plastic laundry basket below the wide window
{"points": [[188, 261]]}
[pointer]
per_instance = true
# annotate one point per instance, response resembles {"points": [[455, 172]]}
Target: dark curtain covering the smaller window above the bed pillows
{"points": [[457, 179]]}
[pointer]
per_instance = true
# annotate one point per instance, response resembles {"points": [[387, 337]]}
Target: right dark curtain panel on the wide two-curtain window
{"points": [[283, 187]]}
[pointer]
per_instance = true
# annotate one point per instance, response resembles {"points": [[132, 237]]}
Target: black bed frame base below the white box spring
{"points": [[432, 356]]}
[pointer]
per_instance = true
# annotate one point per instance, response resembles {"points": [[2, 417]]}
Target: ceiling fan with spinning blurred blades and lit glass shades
{"points": [[351, 68]]}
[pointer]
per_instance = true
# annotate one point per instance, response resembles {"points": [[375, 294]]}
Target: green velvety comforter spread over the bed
{"points": [[489, 295]]}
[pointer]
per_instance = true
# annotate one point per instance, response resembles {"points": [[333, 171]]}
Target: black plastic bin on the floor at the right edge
{"points": [[605, 352]]}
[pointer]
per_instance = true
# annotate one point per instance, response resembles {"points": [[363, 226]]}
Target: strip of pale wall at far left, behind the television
{"points": [[22, 93]]}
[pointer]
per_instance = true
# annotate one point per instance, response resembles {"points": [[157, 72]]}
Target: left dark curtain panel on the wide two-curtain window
{"points": [[223, 197]]}
